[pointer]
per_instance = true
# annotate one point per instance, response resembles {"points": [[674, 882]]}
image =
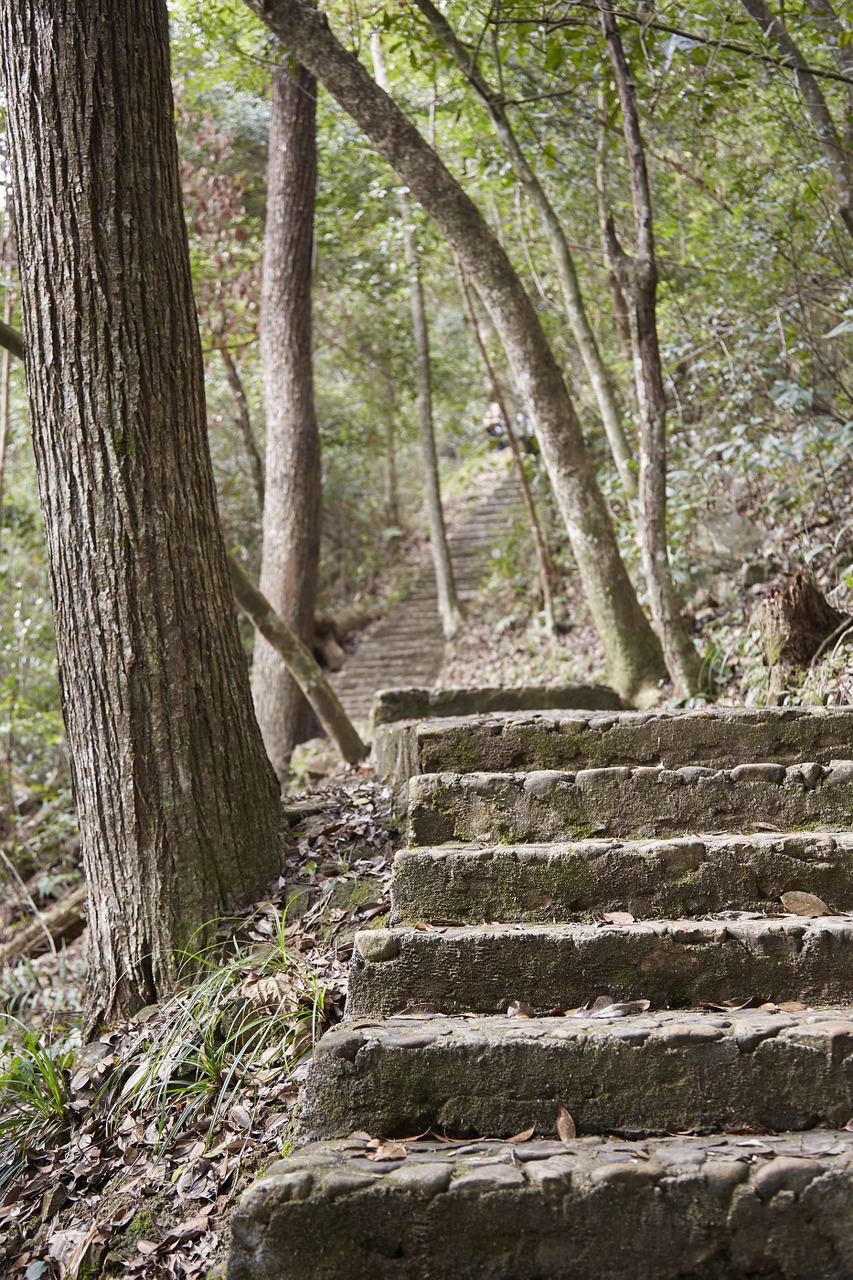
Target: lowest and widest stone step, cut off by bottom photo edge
{"points": [[710, 1209]]}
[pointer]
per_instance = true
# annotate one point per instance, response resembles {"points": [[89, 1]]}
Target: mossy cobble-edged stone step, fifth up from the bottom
{"points": [[627, 803]]}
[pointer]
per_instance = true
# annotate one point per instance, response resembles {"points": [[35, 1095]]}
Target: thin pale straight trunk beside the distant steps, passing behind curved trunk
{"points": [[449, 607]]}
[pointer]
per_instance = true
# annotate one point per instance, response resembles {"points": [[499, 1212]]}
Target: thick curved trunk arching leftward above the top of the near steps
{"points": [[631, 647]]}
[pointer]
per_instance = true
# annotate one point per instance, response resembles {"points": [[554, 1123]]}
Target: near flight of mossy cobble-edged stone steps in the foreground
{"points": [[589, 932]]}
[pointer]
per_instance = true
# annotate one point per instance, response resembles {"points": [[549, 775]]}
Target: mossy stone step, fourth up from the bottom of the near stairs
{"points": [[683, 876]]}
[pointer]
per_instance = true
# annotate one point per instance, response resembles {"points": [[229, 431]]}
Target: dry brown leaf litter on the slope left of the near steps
{"points": [[143, 1186]]}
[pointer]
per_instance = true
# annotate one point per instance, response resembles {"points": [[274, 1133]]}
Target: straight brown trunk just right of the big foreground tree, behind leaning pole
{"points": [[293, 504]]}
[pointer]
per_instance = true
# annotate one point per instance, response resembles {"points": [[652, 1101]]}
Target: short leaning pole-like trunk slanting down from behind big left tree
{"points": [[302, 665]]}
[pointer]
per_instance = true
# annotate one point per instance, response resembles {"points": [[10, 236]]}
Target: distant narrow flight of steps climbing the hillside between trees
{"points": [[408, 647]]}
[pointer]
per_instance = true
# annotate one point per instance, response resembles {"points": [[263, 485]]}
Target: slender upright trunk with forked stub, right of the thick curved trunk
{"points": [[640, 285]]}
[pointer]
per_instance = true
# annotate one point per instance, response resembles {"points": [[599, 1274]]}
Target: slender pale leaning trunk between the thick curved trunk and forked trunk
{"points": [[582, 330]]}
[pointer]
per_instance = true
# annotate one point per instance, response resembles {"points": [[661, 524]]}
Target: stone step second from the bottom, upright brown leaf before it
{"points": [[650, 1073]]}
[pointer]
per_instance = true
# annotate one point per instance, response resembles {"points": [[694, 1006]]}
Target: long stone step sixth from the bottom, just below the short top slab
{"points": [[715, 738]]}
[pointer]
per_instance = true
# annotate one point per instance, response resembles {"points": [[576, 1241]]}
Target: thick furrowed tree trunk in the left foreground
{"points": [[179, 807]]}
